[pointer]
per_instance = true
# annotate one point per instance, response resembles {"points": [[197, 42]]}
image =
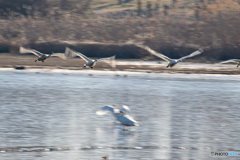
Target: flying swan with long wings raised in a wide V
{"points": [[171, 62]]}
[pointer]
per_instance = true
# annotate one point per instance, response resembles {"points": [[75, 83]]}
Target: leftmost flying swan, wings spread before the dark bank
{"points": [[41, 56]]}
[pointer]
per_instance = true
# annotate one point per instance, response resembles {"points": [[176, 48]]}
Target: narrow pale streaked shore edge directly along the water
{"points": [[184, 68]]}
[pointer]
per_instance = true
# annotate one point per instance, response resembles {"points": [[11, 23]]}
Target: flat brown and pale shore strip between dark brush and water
{"points": [[26, 62]]}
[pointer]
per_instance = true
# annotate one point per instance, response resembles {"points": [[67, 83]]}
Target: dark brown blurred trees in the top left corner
{"points": [[41, 8]]}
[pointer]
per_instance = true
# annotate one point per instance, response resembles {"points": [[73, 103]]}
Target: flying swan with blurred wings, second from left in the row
{"points": [[90, 63]]}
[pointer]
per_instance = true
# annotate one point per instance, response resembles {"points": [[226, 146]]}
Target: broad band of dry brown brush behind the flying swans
{"points": [[216, 30]]}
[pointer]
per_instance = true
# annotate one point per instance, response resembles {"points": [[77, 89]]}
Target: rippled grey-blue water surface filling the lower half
{"points": [[51, 115]]}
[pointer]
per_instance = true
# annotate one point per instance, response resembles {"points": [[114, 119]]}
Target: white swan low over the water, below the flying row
{"points": [[123, 115]]}
